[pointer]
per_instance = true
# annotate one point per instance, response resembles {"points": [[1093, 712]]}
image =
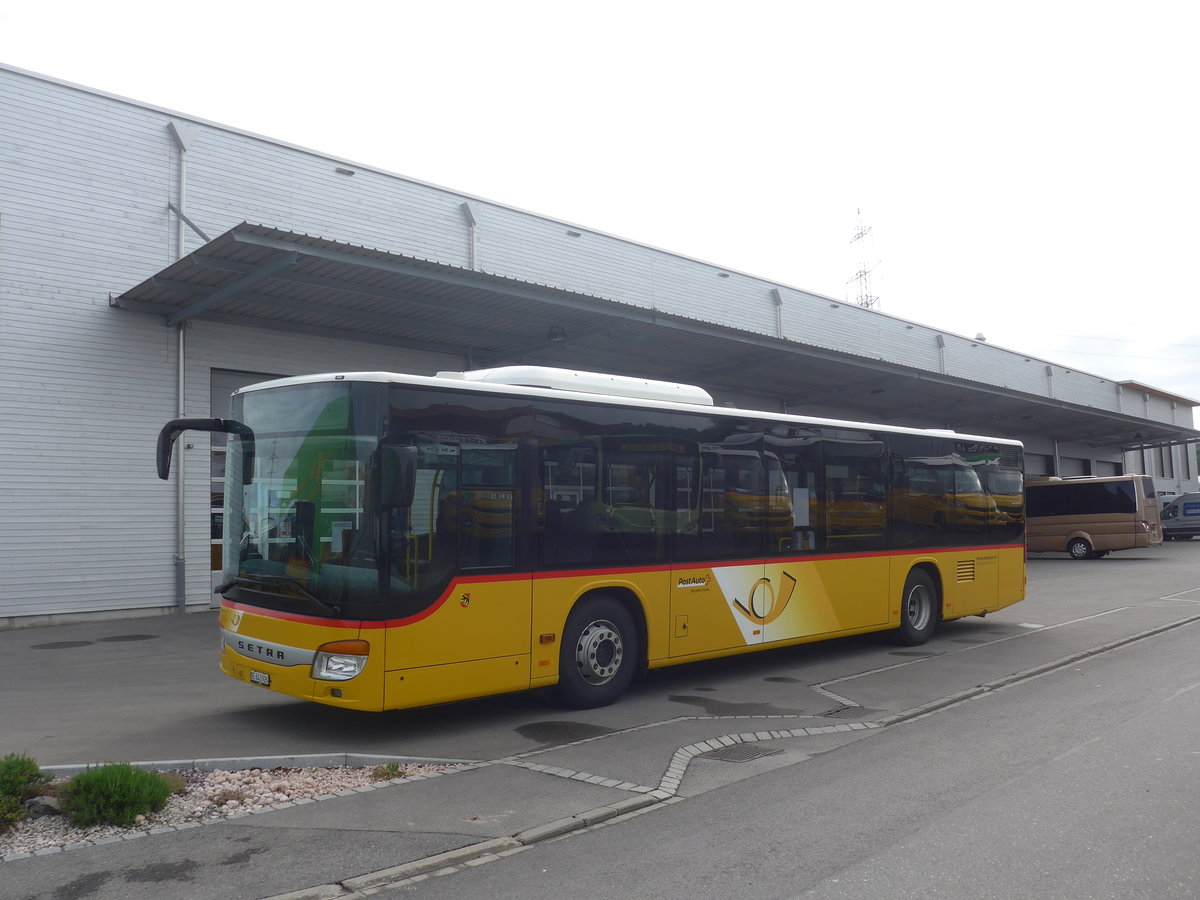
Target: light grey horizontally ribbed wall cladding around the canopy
{"points": [[86, 182]]}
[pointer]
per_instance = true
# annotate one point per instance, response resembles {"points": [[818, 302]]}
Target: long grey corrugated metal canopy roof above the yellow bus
{"points": [[266, 278]]}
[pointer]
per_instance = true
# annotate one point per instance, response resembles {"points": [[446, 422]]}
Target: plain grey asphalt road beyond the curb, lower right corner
{"points": [[1083, 783]]}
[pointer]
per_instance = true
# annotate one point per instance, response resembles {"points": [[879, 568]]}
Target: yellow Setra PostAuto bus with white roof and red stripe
{"points": [[397, 542]]}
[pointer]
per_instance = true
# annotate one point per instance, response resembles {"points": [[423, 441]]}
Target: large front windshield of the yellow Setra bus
{"points": [[299, 536]]}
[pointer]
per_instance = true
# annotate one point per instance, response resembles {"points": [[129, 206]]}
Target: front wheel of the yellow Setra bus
{"points": [[598, 656]]}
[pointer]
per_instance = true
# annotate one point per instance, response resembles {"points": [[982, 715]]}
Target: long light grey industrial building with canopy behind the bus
{"points": [[152, 262]]}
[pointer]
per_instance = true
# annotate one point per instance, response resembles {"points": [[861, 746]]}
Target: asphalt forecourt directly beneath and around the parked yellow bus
{"points": [[149, 688]]}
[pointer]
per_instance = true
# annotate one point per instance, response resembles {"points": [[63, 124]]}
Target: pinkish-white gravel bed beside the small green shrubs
{"points": [[209, 796]]}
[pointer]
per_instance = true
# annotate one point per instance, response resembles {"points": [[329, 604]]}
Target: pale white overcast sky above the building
{"points": [[1029, 170]]}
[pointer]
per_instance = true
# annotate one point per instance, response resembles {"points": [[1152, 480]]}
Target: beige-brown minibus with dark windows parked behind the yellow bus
{"points": [[1090, 518]]}
